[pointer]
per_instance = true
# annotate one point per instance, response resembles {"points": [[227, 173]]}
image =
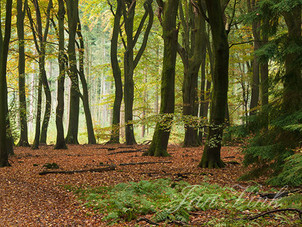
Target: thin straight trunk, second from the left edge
{"points": [[21, 9]]}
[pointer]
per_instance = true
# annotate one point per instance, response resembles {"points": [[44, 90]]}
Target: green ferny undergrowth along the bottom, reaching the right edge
{"points": [[168, 201]]}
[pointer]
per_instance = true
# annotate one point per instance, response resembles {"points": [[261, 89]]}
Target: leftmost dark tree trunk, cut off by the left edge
{"points": [[4, 45]]}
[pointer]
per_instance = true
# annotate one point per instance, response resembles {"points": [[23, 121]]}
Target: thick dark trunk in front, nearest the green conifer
{"points": [[211, 155]]}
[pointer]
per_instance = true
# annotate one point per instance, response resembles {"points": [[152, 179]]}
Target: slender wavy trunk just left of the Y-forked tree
{"points": [[115, 131]]}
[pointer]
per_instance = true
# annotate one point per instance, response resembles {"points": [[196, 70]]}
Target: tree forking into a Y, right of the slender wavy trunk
{"points": [[131, 61]]}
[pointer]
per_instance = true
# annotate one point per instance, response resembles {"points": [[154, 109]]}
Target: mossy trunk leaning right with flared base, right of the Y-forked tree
{"points": [[161, 135]]}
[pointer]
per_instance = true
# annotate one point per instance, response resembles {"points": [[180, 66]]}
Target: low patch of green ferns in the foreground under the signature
{"points": [[170, 201]]}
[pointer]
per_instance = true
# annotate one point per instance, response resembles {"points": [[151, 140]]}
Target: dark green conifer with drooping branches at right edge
{"points": [[271, 148]]}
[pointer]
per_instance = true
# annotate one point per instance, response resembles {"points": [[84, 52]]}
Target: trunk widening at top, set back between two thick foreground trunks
{"points": [[191, 52]]}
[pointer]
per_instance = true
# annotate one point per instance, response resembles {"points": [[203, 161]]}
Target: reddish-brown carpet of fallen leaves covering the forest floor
{"points": [[30, 199]]}
